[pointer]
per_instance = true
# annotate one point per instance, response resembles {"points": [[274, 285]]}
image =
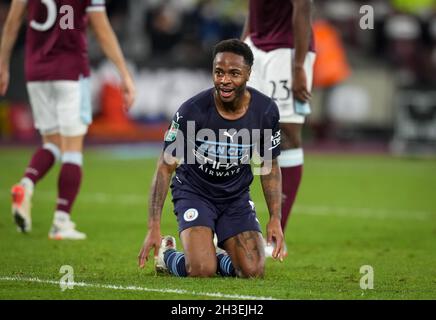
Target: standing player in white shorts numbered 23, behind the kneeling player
{"points": [[280, 36]]}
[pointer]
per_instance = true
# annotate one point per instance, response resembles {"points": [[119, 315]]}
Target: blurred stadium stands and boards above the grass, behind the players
{"points": [[384, 94]]}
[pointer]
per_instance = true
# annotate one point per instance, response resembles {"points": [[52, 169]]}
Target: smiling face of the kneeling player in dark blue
{"points": [[230, 75]]}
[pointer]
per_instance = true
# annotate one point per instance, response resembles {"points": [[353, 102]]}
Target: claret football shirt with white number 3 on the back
{"points": [[56, 44]]}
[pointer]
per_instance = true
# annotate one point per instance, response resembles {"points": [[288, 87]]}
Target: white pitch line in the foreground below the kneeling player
{"points": [[136, 288]]}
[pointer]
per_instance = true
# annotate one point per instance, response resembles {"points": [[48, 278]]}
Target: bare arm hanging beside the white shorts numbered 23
{"points": [[301, 24]]}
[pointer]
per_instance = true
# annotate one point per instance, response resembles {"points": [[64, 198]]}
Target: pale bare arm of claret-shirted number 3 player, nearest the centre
{"points": [[111, 48]]}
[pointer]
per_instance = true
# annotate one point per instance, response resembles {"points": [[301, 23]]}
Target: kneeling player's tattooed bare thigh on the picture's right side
{"points": [[247, 255]]}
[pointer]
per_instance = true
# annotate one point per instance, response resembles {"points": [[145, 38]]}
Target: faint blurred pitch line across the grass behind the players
{"points": [[319, 210]]}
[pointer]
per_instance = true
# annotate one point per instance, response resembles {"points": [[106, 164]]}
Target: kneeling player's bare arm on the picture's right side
{"points": [[272, 190]]}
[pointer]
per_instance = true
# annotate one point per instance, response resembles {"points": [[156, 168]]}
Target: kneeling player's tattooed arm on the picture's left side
{"points": [[165, 168]]}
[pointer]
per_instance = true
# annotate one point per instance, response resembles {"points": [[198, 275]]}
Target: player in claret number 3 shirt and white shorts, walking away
{"points": [[57, 74]]}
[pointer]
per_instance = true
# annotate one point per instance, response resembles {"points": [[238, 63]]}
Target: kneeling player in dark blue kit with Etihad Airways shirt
{"points": [[212, 138]]}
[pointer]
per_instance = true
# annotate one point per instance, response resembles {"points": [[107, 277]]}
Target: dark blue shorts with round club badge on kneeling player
{"points": [[226, 219]]}
